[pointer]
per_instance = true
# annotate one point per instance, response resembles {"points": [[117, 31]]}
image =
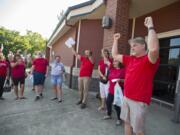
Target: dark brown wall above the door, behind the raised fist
{"points": [[165, 19]]}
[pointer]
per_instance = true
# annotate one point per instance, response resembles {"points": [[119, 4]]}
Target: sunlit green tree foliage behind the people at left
{"points": [[29, 43]]}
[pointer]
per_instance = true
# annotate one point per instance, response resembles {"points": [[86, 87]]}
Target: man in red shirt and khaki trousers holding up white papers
{"points": [[86, 70]]}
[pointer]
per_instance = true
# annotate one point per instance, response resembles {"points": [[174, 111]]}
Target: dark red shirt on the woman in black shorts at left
{"points": [[18, 71]]}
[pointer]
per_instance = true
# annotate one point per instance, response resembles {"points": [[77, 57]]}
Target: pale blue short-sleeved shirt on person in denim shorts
{"points": [[57, 68]]}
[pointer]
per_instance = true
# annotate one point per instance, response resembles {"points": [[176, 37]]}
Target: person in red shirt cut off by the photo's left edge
{"points": [[3, 74]]}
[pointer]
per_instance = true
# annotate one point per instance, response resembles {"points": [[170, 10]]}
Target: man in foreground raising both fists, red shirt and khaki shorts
{"points": [[141, 67]]}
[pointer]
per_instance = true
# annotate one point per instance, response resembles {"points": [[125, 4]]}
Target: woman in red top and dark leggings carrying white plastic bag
{"points": [[115, 72]]}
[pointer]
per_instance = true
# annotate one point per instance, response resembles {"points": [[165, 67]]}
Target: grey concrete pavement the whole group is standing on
{"points": [[45, 117]]}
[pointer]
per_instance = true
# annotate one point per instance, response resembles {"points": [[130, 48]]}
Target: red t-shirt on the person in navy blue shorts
{"points": [[40, 65]]}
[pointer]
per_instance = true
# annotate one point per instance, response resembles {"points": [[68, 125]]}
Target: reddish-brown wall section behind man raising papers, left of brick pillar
{"points": [[91, 37]]}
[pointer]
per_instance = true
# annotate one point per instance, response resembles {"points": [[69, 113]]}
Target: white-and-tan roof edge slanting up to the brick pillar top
{"points": [[93, 9]]}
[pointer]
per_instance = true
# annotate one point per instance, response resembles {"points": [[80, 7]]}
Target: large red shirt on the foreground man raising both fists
{"points": [[139, 78]]}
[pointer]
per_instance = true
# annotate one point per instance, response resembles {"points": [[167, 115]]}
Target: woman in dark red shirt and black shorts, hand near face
{"points": [[18, 75]]}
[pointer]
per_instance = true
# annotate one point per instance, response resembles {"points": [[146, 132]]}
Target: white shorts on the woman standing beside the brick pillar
{"points": [[103, 89]]}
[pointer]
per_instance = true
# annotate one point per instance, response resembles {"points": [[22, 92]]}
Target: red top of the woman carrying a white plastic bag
{"points": [[115, 73]]}
